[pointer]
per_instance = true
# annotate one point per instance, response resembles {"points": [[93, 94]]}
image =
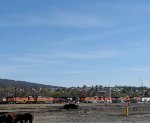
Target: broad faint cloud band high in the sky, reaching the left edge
{"points": [[56, 18]]}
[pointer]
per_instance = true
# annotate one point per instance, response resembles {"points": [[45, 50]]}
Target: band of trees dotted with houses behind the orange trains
{"points": [[78, 92]]}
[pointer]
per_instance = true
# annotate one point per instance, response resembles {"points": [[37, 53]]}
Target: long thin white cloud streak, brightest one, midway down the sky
{"points": [[61, 56]]}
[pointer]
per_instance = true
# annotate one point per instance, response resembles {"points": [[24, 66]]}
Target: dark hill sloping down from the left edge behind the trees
{"points": [[4, 83]]}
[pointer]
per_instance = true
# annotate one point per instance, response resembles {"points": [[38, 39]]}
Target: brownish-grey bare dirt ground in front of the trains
{"points": [[87, 113]]}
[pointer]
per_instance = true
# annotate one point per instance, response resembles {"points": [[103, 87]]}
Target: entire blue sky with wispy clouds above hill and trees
{"points": [[75, 42]]}
